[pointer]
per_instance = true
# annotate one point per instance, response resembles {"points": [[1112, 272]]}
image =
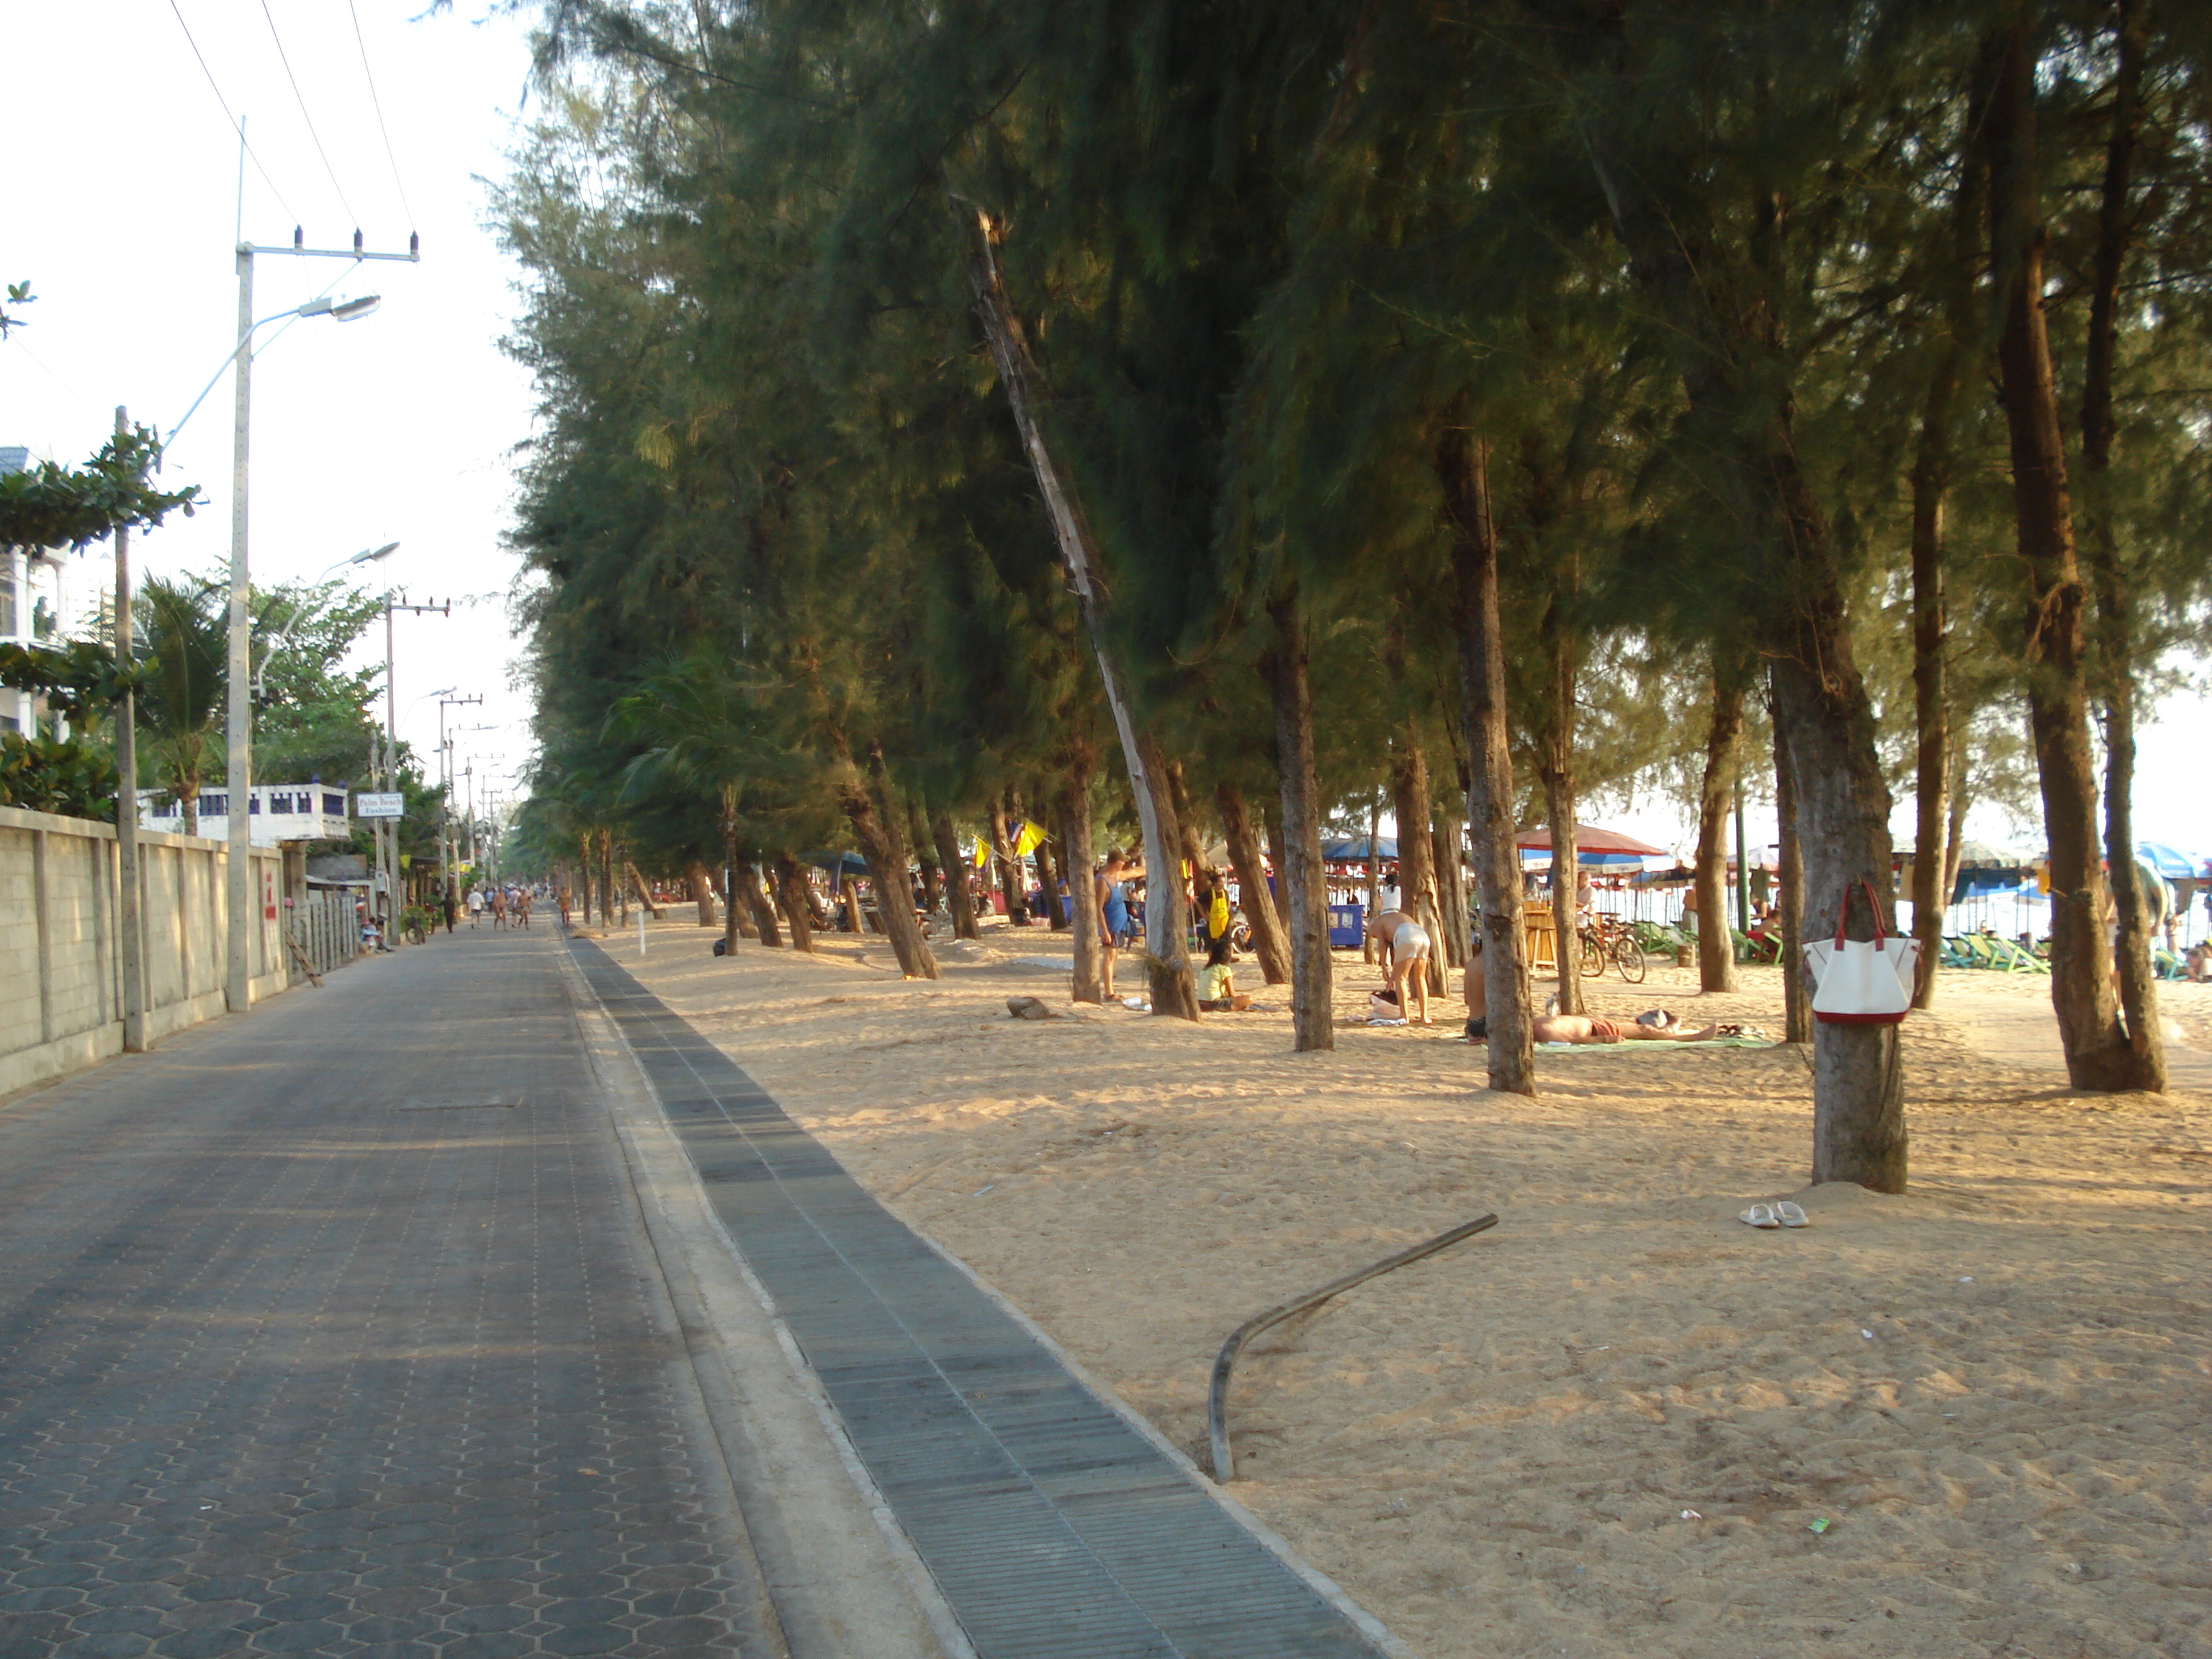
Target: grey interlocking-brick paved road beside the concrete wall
{"points": [[333, 1331]]}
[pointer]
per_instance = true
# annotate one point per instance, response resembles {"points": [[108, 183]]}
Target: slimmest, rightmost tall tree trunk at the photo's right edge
{"points": [[2116, 601]]}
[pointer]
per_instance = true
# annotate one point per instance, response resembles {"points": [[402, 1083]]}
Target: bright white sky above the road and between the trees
{"points": [[123, 209]]}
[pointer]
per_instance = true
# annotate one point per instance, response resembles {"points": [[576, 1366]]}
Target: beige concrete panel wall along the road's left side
{"points": [[61, 966]]}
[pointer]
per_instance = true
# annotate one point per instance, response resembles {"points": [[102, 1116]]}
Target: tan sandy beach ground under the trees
{"points": [[1965, 1421]]}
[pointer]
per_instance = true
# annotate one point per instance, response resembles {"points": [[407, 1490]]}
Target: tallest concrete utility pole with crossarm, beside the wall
{"points": [[240, 727]]}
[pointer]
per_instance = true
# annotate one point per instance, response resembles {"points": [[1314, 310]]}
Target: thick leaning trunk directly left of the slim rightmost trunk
{"points": [[2098, 1052]]}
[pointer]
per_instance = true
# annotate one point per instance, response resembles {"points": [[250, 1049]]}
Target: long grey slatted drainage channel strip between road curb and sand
{"points": [[1050, 1523]]}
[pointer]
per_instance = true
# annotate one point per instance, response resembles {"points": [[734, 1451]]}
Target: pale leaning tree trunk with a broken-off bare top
{"points": [[1165, 915]]}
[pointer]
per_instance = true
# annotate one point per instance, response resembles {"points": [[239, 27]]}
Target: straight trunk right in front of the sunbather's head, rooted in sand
{"points": [[1463, 472]]}
